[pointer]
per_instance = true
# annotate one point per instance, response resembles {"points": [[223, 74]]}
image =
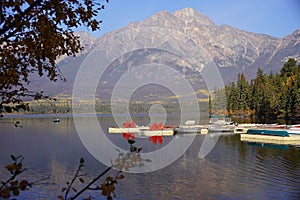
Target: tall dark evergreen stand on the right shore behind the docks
{"points": [[266, 98]]}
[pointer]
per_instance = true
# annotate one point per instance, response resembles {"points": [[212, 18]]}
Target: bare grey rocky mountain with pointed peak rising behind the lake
{"points": [[186, 41]]}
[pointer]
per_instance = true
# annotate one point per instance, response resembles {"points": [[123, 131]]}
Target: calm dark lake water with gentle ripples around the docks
{"points": [[232, 170]]}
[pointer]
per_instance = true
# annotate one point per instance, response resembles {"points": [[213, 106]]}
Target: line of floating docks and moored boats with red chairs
{"points": [[268, 133]]}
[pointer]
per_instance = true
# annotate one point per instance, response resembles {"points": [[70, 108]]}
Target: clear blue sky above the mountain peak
{"points": [[277, 18]]}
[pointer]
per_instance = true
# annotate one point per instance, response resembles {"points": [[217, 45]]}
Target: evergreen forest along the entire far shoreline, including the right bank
{"points": [[268, 98]]}
